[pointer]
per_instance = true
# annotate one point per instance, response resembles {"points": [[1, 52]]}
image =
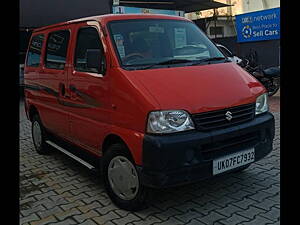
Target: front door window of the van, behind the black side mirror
{"points": [[87, 39]]}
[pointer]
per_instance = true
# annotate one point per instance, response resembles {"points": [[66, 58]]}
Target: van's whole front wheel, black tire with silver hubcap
{"points": [[117, 181]]}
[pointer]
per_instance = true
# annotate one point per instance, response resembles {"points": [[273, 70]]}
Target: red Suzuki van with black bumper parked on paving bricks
{"points": [[147, 99]]}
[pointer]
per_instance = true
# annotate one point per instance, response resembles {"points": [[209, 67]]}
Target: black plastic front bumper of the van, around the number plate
{"points": [[187, 157]]}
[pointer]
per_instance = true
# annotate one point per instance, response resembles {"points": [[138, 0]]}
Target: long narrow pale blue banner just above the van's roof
{"points": [[127, 10]]}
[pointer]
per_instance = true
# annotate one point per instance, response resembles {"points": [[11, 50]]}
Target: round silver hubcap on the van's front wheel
{"points": [[123, 178]]}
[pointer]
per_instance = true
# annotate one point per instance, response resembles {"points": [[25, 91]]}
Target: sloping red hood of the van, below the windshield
{"points": [[199, 88]]}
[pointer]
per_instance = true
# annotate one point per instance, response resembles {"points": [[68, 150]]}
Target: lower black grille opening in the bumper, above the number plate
{"points": [[220, 148]]}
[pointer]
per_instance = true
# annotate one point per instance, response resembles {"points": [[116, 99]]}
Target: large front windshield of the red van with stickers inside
{"points": [[146, 43]]}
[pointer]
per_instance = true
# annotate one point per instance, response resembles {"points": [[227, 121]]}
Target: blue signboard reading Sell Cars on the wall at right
{"points": [[258, 26]]}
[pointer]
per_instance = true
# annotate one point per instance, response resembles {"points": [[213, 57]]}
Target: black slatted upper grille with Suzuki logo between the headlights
{"points": [[217, 119]]}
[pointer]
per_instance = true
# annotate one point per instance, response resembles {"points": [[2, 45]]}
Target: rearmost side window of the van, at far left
{"points": [[34, 52]]}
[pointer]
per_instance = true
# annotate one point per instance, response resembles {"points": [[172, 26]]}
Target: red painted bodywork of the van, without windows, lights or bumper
{"points": [[119, 102]]}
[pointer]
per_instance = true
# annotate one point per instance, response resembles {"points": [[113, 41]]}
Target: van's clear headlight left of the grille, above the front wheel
{"points": [[169, 121]]}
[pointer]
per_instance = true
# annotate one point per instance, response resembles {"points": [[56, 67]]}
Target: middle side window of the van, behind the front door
{"points": [[57, 47]]}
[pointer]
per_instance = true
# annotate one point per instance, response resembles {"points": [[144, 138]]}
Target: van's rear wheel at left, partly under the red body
{"points": [[39, 136]]}
